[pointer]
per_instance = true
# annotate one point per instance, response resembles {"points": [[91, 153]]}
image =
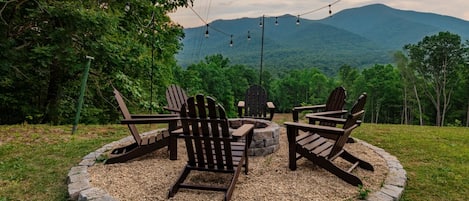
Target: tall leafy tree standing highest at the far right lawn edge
{"points": [[437, 60]]}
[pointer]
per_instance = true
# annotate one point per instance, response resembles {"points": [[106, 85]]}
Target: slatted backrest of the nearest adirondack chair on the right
{"points": [[349, 125]]}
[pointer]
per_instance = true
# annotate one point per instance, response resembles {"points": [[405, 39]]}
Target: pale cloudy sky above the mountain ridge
{"points": [[207, 11]]}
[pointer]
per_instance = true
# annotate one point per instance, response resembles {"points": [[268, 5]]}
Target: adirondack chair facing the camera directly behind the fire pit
{"points": [[255, 104]]}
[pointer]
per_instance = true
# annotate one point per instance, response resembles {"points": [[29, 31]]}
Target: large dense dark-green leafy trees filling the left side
{"points": [[45, 44]]}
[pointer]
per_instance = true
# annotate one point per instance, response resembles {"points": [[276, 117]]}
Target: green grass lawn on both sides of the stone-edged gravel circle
{"points": [[35, 159]]}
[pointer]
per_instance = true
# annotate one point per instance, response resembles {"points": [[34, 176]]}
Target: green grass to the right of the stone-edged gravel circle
{"points": [[436, 158]]}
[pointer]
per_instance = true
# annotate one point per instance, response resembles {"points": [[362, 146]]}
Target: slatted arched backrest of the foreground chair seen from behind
{"points": [[206, 131]]}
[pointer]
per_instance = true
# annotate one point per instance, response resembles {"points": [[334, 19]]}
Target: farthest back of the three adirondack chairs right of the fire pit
{"points": [[335, 102]]}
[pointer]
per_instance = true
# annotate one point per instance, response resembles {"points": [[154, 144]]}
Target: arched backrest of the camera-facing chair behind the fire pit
{"points": [[255, 100]]}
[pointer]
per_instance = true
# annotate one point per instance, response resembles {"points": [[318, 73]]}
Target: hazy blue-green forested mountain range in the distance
{"points": [[358, 37]]}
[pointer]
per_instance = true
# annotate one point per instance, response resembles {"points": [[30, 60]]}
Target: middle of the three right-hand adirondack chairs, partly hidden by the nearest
{"points": [[327, 120]]}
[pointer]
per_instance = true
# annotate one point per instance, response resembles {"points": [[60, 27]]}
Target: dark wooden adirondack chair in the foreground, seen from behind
{"points": [[210, 146]]}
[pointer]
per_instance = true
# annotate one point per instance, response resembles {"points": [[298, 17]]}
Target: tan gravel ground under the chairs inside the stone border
{"points": [[269, 178]]}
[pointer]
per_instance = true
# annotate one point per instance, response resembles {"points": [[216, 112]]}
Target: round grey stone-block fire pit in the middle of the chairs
{"points": [[266, 135]]}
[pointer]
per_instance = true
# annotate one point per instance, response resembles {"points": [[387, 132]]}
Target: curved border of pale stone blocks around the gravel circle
{"points": [[79, 187]]}
